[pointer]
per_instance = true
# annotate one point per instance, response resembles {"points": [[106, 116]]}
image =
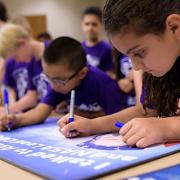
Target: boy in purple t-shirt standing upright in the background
{"points": [[99, 52]]}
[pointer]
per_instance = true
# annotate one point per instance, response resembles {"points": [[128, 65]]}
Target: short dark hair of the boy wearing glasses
{"points": [[66, 50]]}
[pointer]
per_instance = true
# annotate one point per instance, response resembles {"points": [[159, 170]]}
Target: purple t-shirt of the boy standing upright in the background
{"points": [[99, 55]]}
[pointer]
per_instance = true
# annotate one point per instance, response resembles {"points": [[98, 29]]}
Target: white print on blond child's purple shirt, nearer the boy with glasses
{"points": [[41, 84]]}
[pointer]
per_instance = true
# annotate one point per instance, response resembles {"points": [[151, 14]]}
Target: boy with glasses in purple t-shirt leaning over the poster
{"points": [[64, 65]]}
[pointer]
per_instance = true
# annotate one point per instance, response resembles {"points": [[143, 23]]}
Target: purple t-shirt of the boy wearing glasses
{"points": [[97, 91]]}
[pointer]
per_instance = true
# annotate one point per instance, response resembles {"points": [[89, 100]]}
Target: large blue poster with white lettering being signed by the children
{"points": [[43, 150]]}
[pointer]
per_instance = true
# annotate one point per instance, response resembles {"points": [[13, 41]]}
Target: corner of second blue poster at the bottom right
{"points": [[171, 173]]}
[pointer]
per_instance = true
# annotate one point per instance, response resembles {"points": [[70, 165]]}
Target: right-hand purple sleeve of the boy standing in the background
{"points": [[107, 63]]}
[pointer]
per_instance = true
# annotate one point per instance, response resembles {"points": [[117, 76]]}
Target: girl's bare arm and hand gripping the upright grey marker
{"points": [[102, 124]]}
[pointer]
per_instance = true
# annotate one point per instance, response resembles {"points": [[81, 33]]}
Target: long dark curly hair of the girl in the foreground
{"points": [[143, 17]]}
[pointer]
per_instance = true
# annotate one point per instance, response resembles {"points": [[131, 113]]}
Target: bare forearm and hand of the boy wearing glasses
{"points": [[34, 116]]}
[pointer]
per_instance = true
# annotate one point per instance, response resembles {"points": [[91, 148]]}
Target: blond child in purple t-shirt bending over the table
{"points": [[17, 44]]}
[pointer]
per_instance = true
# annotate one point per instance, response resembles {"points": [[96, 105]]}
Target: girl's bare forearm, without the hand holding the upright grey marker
{"points": [[106, 123]]}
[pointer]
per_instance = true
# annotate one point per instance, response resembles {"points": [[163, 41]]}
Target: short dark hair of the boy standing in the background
{"points": [[94, 10]]}
